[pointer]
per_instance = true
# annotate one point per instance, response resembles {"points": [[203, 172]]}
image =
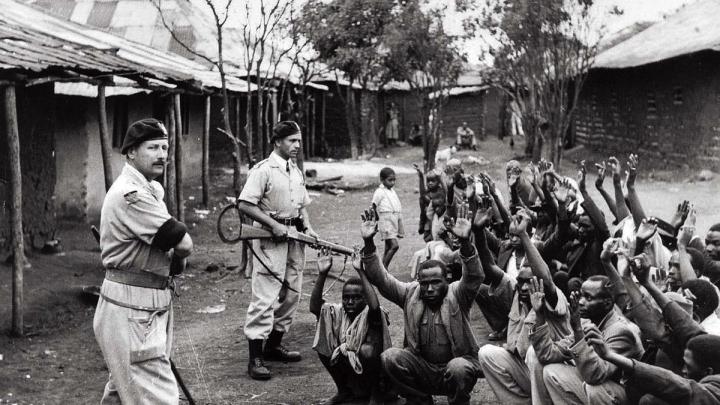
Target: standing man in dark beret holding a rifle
{"points": [[275, 198]]}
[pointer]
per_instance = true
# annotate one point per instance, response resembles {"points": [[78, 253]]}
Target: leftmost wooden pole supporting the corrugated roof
{"points": [[18, 248]]}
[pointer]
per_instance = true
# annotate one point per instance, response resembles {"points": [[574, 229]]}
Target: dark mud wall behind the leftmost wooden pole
{"points": [[37, 156]]}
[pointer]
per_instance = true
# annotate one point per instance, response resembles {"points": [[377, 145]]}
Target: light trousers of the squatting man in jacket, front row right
{"points": [[567, 387]]}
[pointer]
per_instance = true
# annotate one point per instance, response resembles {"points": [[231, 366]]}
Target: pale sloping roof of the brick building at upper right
{"points": [[693, 28]]}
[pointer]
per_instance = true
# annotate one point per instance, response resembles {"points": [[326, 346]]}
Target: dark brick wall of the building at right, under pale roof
{"points": [[669, 111]]}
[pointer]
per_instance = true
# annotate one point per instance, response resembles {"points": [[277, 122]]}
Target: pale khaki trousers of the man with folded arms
{"points": [[136, 346]]}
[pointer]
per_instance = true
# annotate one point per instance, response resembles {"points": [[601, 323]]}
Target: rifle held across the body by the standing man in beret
{"points": [[232, 228]]}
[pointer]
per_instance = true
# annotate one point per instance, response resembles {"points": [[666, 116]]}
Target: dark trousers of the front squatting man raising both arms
{"points": [[414, 376]]}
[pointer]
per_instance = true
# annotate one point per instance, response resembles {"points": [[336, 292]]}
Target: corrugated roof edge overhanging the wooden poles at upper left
{"points": [[33, 40]]}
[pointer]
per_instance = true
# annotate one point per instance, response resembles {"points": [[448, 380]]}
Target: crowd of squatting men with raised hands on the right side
{"points": [[591, 312]]}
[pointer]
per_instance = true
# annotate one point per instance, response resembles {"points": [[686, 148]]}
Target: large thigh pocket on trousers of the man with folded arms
{"points": [[148, 335]]}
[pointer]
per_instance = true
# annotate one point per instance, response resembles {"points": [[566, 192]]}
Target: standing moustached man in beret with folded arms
{"points": [[133, 321]]}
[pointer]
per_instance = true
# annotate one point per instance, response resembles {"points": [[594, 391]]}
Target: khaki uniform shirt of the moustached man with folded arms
{"points": [[132, 213]]}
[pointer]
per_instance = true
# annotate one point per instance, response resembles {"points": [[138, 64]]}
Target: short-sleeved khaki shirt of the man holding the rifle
{"points": [[276, 186]]}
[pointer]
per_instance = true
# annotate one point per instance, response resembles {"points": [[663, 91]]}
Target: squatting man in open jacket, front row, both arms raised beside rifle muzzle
{"points": [[440, 354]]}
